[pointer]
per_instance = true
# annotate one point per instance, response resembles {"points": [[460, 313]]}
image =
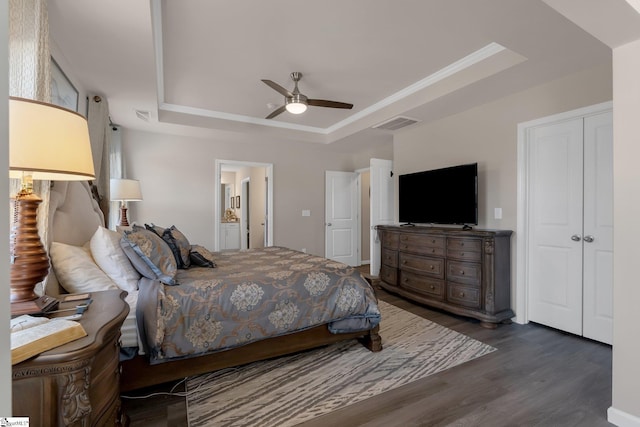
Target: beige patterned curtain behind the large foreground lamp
{"points": [[29, 73]]}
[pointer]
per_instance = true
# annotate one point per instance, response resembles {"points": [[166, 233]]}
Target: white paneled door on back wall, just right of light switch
{"points": [[341, 217]]}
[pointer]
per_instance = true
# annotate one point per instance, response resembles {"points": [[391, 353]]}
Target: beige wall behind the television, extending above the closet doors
{"points": [[488, 135]]}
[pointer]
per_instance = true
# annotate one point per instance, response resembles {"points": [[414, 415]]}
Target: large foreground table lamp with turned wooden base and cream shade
{"points": [[46, 142]]}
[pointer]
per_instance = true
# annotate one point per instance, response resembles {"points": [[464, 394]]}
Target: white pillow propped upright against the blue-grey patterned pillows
{"points": [[106, 250]]}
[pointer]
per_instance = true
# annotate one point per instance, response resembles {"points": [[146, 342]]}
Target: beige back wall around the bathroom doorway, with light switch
{"points": [[177, 175]]}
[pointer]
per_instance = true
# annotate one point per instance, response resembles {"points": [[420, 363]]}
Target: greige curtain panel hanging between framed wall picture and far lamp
{"points": [[100, 135]]}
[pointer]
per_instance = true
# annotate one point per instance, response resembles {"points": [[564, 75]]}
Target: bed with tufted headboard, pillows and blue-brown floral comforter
{"points": [[193, 311]]}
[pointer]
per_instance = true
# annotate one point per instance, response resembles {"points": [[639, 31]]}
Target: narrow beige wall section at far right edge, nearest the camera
{"points": [[626, 152]]}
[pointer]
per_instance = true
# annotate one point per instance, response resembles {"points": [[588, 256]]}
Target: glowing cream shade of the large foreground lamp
{"points": [[50, 142]]}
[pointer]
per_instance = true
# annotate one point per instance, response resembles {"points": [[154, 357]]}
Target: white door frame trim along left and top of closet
{"points": [[522, 222]]}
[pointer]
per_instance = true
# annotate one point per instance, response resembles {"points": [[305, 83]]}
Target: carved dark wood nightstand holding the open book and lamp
{"points": [[77, 383]]}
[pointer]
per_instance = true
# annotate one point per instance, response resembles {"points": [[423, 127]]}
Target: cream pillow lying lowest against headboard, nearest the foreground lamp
{"points": [[76, 271]]}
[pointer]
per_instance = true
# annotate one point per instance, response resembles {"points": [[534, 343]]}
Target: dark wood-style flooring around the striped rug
{"points": [[537, 377]]}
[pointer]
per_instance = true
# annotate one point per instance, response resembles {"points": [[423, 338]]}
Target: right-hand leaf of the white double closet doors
{"points": [[598, 228]]}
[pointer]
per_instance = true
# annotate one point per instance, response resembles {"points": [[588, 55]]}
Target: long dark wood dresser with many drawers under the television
{"points": [[466, 272]]}
